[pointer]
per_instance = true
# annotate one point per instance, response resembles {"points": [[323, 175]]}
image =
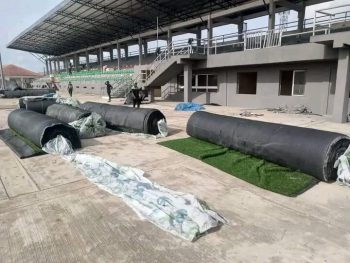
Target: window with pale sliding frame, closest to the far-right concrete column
{"points": [[292, 82]]}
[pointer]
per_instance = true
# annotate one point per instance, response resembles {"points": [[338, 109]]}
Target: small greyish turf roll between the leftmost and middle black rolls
{"points": [[66, 113]]}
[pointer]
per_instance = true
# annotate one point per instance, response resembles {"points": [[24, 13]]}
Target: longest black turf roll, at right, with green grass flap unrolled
{"points": [[307, 150]]}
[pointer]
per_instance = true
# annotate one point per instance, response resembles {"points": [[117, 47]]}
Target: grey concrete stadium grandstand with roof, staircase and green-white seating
{"points": [[301, 62]]}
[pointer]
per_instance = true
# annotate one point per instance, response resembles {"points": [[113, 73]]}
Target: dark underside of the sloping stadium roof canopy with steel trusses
{"points": [[78, 24]]}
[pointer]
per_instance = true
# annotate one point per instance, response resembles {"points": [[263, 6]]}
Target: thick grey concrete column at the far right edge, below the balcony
{"points": [[341, 97]]}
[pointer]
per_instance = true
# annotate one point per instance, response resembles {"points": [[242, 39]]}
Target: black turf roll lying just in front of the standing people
{"points": [[122, 117]]}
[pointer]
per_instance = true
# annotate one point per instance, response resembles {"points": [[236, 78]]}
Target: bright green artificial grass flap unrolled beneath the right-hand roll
{"points": [[256, 171]]}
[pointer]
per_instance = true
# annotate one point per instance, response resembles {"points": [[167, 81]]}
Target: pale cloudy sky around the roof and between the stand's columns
{"points": [[18, 15]]}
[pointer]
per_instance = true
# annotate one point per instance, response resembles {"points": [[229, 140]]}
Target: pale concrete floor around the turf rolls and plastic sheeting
{"points": [[50, 213]]}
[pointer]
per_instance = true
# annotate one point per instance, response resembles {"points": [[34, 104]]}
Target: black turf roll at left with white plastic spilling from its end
{"points": [[39, 128]]}
